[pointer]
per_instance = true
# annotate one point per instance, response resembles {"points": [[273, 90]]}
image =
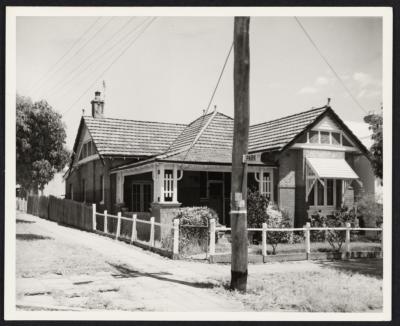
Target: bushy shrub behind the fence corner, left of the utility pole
{"points": [[193, 230]]}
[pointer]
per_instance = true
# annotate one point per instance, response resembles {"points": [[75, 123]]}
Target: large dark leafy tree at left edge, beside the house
{"points": [[40, 144]]}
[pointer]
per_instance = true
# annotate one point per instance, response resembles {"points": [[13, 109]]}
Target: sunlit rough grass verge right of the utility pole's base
{"points": [[318, 291]]}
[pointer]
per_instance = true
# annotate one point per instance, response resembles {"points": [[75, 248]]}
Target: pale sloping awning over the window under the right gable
{"points": [[331, 168]]}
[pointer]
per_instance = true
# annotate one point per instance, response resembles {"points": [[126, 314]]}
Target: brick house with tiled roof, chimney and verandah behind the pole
{"points": [[302, 162]]}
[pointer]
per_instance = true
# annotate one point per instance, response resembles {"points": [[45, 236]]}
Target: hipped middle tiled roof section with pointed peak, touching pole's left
{"points": [[214, 145]]}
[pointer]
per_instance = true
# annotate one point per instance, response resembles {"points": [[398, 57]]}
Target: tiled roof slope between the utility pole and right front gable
{"points": [[278, 133]]}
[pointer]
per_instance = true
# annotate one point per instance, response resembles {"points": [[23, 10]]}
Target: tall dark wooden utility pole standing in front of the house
{"points": [[239, 150]]}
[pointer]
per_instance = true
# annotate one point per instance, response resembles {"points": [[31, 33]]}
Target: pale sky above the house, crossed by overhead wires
{"points": [[168, 71]]}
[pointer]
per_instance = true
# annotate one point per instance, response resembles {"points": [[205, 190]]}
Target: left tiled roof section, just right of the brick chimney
{"points": [[130, 137]]}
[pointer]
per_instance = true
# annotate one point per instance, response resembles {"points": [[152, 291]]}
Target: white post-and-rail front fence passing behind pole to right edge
{"points": [[306, 230]]}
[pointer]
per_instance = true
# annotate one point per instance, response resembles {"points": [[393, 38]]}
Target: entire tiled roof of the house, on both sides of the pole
{"points": [[207, 139]]}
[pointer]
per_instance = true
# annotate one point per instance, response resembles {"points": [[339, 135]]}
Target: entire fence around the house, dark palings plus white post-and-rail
{"points": [[141, 231]]}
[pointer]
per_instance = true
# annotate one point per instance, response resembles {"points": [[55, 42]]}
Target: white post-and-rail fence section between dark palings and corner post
{"points": [[135, 221]]}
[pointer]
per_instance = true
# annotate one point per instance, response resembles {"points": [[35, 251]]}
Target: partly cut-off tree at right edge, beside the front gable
{"points": [[375, 122]]}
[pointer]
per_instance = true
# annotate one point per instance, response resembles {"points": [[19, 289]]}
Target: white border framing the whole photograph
{"points": [[10, 312]]}
